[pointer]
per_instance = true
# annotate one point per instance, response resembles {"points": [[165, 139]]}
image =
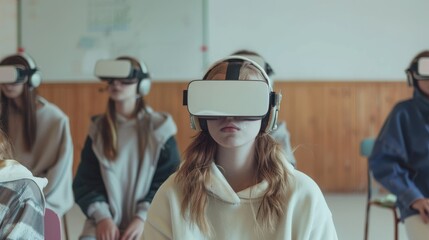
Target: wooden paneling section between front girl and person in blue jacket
{"points": [[328, 120]]}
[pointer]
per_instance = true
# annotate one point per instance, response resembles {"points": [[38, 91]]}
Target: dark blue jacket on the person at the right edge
{"points": [[400, 157]]}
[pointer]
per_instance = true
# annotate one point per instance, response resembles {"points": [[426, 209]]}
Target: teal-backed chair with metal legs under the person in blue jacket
{"points": [[377, 195]]}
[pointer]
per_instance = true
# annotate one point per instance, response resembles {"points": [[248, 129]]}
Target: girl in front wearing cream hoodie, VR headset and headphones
{"points": [[234, 182]]}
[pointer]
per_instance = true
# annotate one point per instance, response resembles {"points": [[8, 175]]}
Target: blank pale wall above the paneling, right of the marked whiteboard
{"points": [[324, 40]]}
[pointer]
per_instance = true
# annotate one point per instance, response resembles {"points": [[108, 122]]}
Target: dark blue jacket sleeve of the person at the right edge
{"points": [[389, 160]]}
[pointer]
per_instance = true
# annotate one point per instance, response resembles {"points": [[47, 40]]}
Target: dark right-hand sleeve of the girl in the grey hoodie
{"points": [[168, 162]]}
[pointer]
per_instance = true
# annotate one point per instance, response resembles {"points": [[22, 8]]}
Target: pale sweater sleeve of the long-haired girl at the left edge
{"points": [[58, 192]]}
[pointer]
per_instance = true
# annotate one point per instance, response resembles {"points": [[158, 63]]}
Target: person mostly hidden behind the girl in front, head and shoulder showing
{"points": [[281, 133]]}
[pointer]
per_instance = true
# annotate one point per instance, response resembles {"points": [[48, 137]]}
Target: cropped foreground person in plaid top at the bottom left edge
{"points": [[22, 203]]}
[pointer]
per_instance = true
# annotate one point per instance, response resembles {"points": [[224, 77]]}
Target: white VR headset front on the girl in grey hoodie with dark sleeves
{"points": [[110, 70]]}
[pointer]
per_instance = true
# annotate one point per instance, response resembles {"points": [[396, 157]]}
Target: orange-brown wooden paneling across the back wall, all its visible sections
{"points": [[326, 121]]}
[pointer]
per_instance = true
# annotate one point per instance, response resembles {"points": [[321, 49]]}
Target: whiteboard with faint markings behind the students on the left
{"points": [[67, 37]]}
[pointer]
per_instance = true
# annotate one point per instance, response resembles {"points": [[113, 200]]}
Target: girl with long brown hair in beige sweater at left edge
{"points": [[38, 129]]}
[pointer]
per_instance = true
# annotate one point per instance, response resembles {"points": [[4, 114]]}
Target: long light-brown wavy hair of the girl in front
{"points": [[200, 154]]}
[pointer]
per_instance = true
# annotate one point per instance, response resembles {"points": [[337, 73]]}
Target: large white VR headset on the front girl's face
{"points": [[231, 98]]}
